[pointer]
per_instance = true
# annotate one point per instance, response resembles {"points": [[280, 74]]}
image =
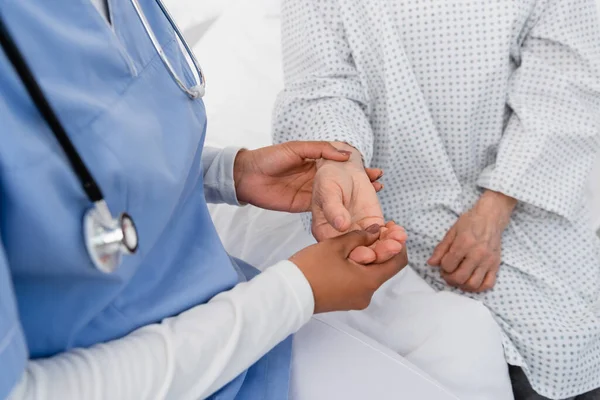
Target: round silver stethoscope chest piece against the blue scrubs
{"points": [[107, 239]]}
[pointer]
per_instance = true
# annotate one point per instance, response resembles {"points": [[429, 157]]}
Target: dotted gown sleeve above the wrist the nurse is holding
{"points": [[324, 98]]}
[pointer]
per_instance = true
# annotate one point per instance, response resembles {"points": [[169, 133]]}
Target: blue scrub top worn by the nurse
{"points": [[141, 137]]}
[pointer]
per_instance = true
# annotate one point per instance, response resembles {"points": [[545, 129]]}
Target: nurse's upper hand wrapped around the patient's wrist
{"points": [[281, 177]]}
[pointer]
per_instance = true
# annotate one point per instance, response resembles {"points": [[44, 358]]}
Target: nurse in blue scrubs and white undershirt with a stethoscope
{"points": [[147, 305]]}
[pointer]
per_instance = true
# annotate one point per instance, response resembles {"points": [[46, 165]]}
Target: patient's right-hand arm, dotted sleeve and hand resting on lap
{"points": [[548, 146]]}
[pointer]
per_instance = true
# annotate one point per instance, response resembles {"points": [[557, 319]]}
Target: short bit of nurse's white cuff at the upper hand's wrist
{"points": [[217, 165]]}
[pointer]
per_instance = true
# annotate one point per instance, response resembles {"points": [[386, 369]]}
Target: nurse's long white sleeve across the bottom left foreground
{"points": [[188, 356]]}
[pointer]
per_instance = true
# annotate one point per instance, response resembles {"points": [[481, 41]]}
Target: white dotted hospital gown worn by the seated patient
{"points": [[453, 96]]}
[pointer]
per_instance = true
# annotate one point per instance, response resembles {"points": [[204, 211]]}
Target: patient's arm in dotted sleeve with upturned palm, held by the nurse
{"points": [[325, 99]]}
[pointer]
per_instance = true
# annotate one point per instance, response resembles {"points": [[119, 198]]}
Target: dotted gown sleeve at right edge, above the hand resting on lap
{"points": [[552, 138]]}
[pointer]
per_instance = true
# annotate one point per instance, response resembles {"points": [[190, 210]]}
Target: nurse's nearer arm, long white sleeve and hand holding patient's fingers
{"points": [[196, 353]]}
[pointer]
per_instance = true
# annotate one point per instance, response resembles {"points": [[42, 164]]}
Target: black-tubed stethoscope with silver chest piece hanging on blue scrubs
{"points": [[106, 238]]}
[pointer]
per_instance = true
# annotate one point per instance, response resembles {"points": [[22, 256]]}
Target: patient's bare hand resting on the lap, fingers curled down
{"points": [[469, 254]]}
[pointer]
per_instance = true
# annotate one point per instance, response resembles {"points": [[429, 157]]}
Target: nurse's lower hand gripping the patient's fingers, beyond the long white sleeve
{"points": [[338, 283]]}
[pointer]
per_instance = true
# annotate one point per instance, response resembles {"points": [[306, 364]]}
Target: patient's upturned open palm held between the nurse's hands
{"points": [[343, 200]]}
